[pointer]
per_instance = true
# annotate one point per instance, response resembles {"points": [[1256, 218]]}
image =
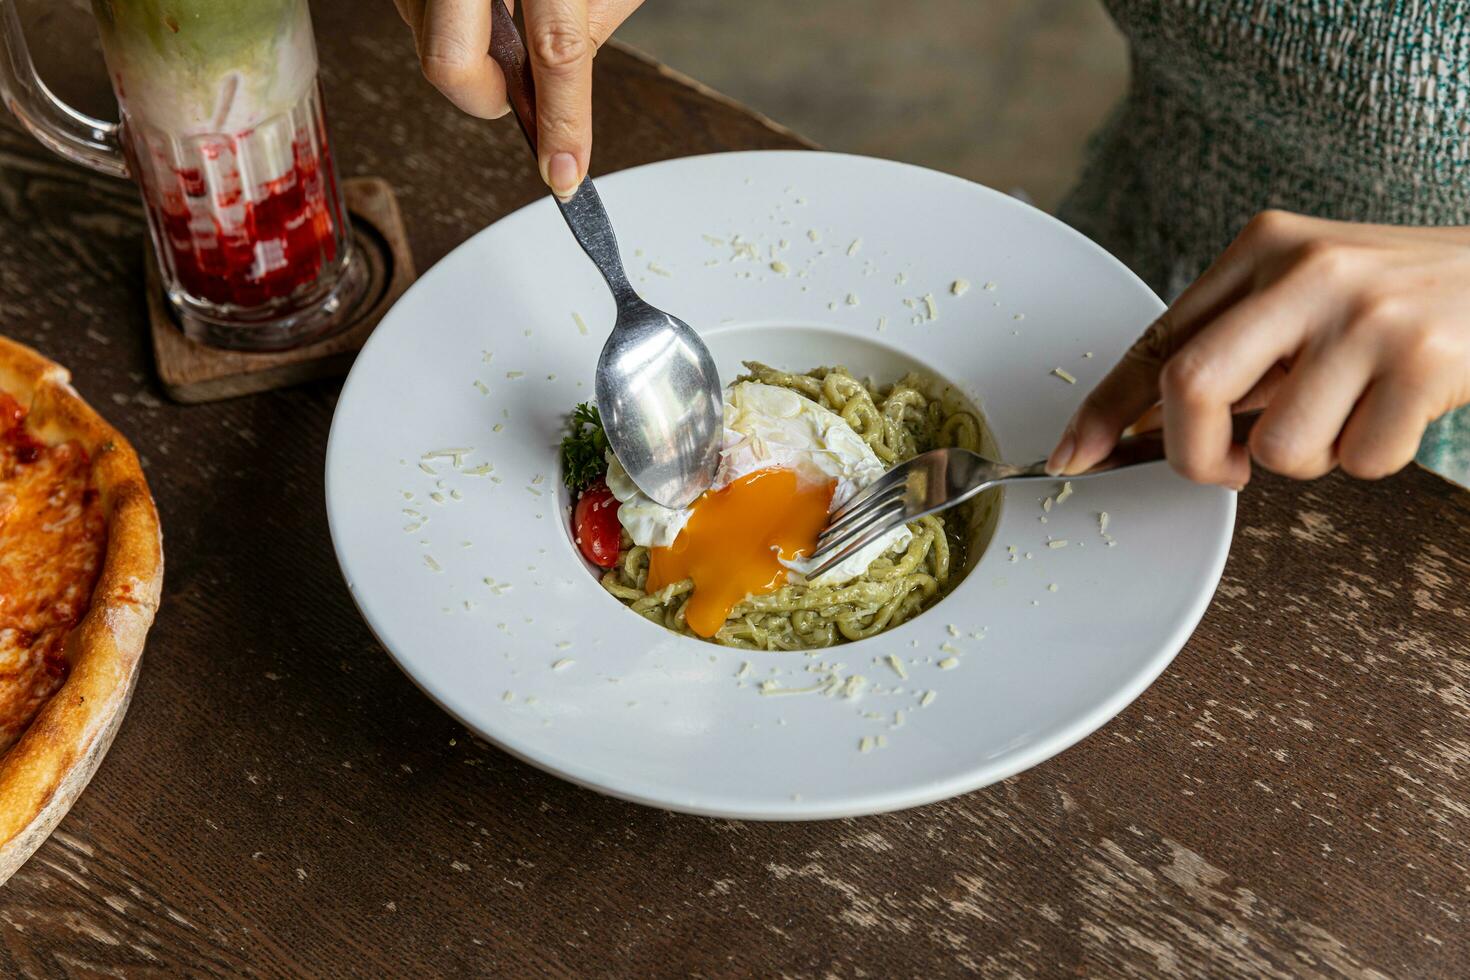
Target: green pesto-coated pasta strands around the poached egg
{"points": [[897, 422]]}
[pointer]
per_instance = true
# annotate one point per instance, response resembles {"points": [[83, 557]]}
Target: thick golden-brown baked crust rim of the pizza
{"points": [[48, 769]]}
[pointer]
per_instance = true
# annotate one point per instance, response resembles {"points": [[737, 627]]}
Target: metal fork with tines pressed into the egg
{"points": [[940, 480]]}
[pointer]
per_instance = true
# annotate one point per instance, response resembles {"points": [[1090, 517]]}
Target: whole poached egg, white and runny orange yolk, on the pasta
{"points": [[786, 465]]}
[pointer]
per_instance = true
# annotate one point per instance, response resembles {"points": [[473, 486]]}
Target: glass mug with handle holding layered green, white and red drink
{"points": [[223, 130]]}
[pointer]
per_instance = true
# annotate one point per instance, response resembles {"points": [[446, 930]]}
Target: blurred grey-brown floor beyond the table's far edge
{"points": [[1000, 92]]}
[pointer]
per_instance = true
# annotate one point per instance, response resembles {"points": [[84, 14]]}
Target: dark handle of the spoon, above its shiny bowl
{"points": [[584, 211]]}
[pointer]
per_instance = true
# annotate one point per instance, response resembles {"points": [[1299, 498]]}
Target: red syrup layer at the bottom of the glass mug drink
{"points": [[230, 248]]}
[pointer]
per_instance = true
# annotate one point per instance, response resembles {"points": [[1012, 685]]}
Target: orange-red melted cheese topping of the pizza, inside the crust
{"points": [[52, 537]]}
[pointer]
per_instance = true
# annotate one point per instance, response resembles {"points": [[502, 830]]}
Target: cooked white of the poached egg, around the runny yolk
{"points": [[767, 428]]}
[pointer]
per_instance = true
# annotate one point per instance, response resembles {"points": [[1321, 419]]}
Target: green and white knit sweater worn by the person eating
{"points": [[1347, 109]]}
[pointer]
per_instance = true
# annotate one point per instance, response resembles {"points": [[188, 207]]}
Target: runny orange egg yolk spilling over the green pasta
{"points": [[733, 540]]}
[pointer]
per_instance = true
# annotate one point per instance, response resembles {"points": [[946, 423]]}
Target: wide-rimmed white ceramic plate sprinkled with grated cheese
{"points": [[659, 719]]}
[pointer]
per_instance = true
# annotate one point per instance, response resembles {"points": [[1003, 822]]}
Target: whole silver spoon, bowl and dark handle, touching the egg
{"points": [[658, 389]]}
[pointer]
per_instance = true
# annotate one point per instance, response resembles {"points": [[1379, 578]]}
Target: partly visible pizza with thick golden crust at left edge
{"points": [[82, 566]]}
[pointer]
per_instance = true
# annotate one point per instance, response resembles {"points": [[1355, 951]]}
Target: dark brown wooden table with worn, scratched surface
{"points": [[1291, 799]]}
